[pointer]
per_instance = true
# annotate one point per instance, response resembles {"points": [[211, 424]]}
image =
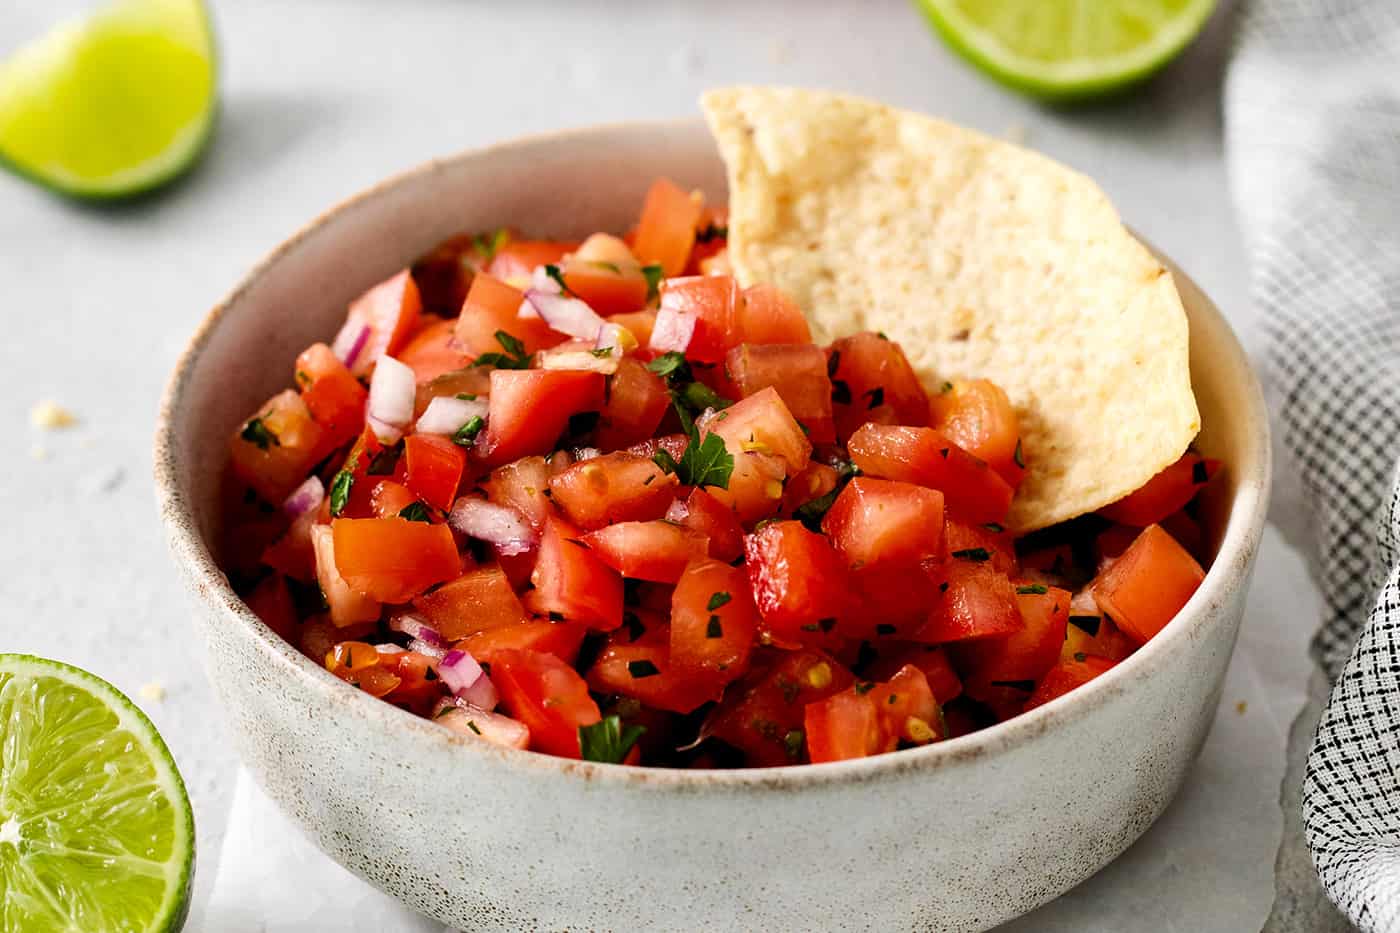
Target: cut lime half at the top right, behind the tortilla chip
{"points": [[1069, 50]]}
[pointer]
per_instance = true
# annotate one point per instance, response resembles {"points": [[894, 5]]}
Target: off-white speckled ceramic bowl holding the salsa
{"points": [[953, 837]]}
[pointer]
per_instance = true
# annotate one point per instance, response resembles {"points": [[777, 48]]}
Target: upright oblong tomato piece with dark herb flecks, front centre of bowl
{"points": [[713, 623]]}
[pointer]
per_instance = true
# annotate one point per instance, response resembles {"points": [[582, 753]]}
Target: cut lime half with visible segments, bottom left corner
{"points": [[96, 830]]}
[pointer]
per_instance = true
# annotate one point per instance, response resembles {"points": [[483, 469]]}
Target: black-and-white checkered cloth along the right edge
{"points": [[1314, 141]]}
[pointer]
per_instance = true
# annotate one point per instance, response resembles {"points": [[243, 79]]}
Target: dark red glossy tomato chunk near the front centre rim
{"points": [[762, 715]]}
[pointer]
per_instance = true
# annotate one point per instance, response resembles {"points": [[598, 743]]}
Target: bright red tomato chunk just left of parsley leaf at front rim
{"points": [[548, 696]]}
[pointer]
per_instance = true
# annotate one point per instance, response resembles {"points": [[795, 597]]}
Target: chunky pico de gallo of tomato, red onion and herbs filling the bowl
{"points": [[598, 501]]}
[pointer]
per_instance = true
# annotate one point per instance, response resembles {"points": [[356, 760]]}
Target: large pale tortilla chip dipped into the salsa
{"points": [[983, 260]]}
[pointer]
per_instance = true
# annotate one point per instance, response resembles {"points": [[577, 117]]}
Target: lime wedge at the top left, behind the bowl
{"points": [[114, 104]]}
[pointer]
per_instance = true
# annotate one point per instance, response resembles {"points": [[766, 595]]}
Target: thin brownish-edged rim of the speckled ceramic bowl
{"points": [[1240, 543]]}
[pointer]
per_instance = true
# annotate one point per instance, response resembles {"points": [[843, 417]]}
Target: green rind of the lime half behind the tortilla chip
{"points": [[1072, 79]]}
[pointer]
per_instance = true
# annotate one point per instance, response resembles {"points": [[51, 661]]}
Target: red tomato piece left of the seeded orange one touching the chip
{"points": [[873, 382]]}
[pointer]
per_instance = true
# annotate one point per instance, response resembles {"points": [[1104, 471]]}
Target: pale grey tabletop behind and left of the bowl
{"points": [[321, 100]]}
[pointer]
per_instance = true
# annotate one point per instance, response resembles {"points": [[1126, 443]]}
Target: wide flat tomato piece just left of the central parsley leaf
{"points": [[612, 488]]}
